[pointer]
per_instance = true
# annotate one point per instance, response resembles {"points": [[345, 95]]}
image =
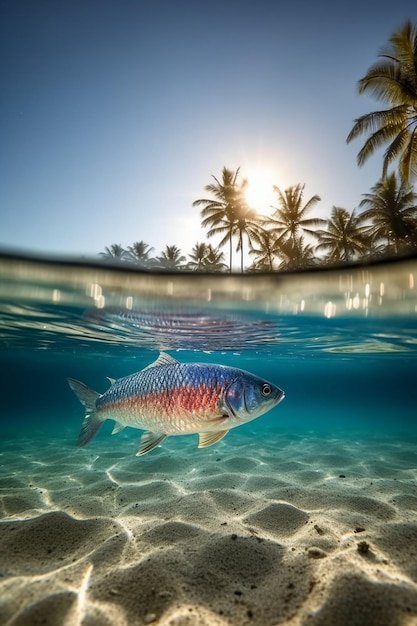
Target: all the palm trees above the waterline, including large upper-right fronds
{"points": [[291, 237]]}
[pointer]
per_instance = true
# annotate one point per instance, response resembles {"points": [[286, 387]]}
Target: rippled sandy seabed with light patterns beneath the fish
{"points": [[296, 530]]}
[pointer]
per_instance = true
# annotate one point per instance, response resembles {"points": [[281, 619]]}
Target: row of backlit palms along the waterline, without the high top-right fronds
{"points": [[291, 239]]}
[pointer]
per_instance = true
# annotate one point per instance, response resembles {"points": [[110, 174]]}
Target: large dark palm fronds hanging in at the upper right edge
{"points": [[393, 80]]}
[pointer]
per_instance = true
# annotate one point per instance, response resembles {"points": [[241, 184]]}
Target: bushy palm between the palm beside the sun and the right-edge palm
{"points": [[345, 237]]}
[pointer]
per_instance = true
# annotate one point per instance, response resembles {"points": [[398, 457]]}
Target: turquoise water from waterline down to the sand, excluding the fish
{"points": [[342, 344]]}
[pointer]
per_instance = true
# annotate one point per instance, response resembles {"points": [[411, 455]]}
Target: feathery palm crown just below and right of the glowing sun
{"points": [[289, 221]]}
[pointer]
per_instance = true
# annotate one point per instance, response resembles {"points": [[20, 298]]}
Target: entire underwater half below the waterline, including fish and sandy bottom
{"points": [[286, 494]]}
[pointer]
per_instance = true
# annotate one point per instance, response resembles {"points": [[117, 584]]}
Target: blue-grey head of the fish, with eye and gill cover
{"points": [[248, 397]]}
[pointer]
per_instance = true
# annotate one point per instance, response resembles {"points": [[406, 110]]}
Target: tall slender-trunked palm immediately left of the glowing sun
{"points": [[221, 212]]}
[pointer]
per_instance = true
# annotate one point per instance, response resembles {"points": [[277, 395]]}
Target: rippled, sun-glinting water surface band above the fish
{"points": [[97, 303]]}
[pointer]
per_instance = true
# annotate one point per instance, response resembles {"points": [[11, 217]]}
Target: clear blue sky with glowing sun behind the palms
{"points": [[116, 113]]}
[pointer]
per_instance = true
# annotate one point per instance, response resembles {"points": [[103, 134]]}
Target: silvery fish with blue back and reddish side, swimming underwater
{"points": [[172, 398]]}
